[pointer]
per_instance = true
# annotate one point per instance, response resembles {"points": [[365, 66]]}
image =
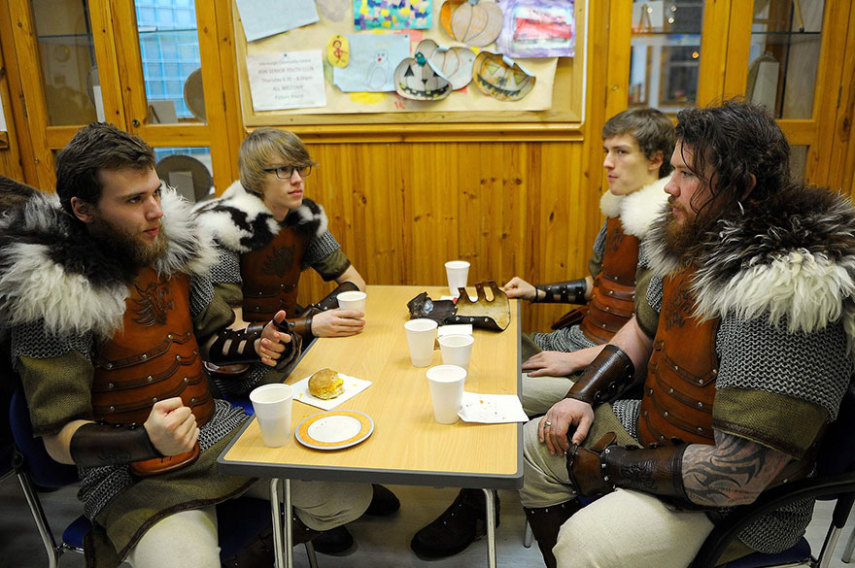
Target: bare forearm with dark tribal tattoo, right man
{"points": [[732, 472]]}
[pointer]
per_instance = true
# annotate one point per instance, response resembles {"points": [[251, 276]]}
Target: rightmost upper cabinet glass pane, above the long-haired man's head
{"points": [[786, 38]]}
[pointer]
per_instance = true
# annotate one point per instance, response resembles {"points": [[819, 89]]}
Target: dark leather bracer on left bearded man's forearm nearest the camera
{"points": [[97, 444]]}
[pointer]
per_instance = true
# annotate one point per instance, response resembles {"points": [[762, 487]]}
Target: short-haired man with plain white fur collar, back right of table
{"points": [[637, 144]]}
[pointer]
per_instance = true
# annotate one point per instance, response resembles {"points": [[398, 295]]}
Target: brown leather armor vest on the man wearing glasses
{"points": [[271, 274]]}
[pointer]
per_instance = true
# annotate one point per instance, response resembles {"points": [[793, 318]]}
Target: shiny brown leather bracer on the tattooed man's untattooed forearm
{"points": [[608, 376]]}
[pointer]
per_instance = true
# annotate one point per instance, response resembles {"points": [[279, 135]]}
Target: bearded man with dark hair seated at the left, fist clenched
{"points": [[111, 310]]}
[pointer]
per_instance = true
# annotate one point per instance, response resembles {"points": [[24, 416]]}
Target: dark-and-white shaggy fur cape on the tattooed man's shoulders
{"points": [[789, 258]]}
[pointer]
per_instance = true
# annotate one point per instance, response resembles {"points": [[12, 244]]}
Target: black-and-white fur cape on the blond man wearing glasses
{"points": [[241, 222]]}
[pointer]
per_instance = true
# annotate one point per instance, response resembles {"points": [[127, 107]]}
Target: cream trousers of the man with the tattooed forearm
{"points": [[624, 528]]}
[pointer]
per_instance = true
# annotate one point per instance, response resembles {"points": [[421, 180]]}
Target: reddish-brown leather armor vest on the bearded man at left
{"points": [[155, 355]]}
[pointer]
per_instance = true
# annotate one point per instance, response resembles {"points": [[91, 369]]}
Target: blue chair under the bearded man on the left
{"points": [[240, 520]]}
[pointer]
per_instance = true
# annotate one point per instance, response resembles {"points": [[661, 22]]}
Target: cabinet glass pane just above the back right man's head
{"points": [[666, 52]]}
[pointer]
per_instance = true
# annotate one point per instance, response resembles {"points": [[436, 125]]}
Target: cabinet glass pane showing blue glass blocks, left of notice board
{"points": [[172, 68]]}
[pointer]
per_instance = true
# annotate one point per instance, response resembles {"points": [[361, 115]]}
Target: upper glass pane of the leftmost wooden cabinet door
{"points": [[67, 58]]}
